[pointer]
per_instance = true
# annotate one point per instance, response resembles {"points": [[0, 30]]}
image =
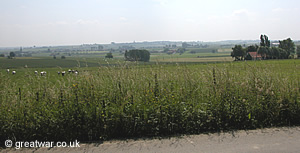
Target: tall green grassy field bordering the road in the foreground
{"points": [[133, 100]]}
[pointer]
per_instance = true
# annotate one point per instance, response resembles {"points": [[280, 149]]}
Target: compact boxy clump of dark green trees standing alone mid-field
{"points": [[137, 55]]}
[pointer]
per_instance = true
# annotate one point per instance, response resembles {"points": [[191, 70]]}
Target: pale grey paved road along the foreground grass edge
{"points": [[269, 140]]}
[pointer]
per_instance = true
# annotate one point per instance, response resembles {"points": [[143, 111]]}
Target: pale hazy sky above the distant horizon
{"points": [[68, 22]]}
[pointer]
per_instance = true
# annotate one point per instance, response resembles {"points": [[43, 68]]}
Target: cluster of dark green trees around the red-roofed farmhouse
{"points": [[285, 50]]}
